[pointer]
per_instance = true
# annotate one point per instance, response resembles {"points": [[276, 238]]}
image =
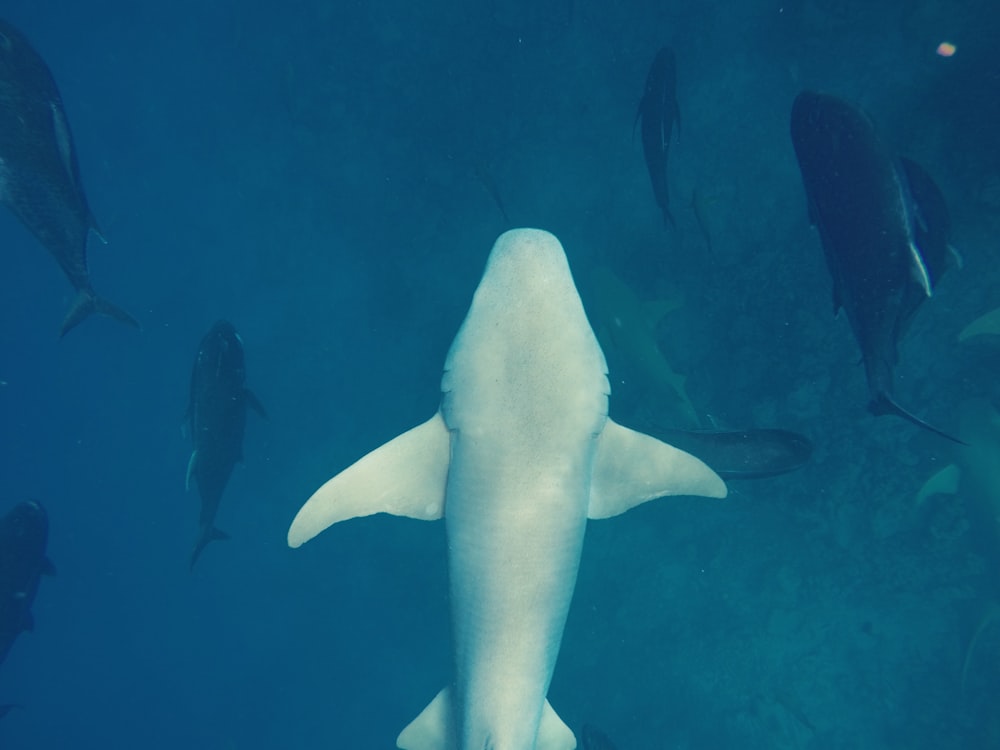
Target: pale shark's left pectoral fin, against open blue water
{"points": [[404, 477]]}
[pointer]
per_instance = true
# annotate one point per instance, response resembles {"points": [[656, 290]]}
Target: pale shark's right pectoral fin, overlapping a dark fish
{"points": [[631, 468]]}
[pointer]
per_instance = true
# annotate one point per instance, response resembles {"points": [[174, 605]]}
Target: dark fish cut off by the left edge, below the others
{"points": [[24, 532]]}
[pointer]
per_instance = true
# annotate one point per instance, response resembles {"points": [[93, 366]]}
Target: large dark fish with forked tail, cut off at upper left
{"points": [[39, 176]]}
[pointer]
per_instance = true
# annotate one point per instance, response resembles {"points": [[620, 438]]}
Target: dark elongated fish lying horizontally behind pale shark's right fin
{"points": [[742, 454]]}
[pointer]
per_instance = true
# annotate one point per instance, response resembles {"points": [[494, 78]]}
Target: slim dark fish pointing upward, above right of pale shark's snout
{"points": [[658, 111]]}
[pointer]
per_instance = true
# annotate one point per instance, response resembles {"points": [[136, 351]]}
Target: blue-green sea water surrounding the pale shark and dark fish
{"points": [[315, 172]]}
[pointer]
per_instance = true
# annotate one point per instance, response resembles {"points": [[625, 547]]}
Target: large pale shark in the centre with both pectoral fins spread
{"points": [[519, 455]]}
